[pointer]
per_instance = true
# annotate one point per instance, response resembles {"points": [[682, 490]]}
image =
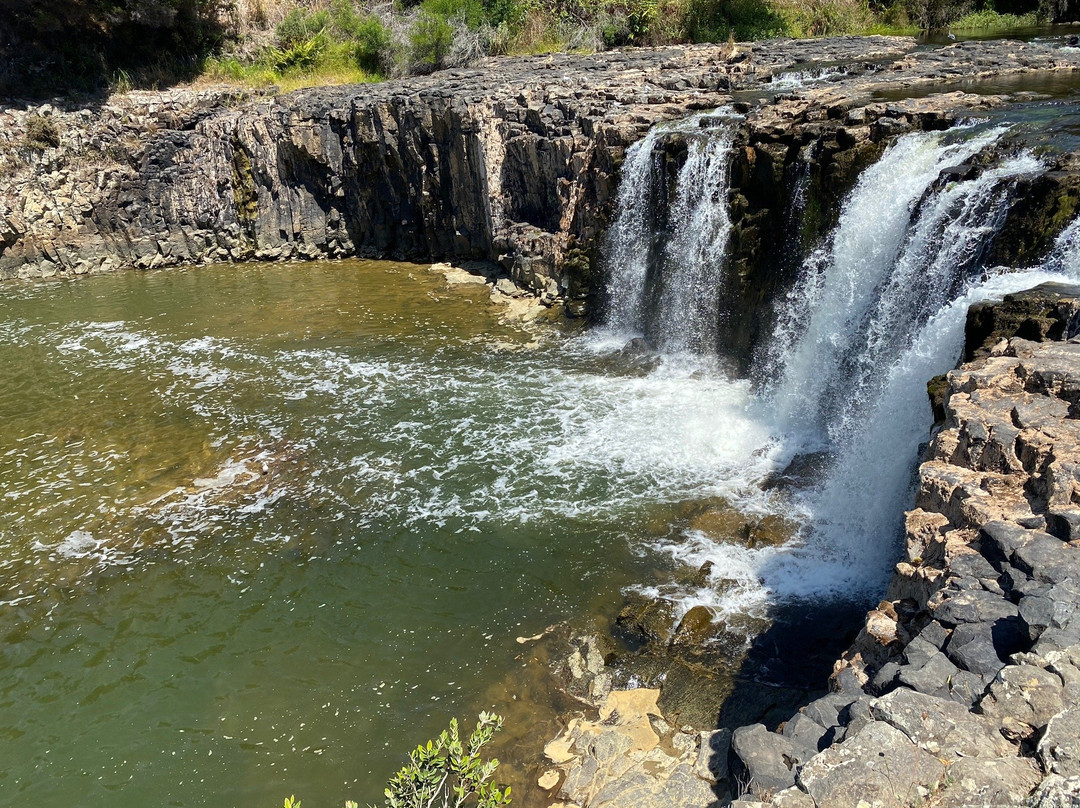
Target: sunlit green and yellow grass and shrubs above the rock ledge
{"points": [[352, 42]]}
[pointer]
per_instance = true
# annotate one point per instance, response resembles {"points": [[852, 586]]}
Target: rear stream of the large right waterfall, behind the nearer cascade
{"points": [[866, 281]]}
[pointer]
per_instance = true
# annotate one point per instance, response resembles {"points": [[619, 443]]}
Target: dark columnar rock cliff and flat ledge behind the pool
{"points": [[515, 161]]}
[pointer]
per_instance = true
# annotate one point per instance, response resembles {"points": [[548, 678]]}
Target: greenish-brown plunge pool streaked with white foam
{"points": [[264, 529]]}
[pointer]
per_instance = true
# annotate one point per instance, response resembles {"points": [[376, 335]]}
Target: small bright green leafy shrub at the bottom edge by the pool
{"points": [[450, 772]]}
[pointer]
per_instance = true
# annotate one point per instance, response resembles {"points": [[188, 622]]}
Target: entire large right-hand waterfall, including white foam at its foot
{"points": [[879, 312]]}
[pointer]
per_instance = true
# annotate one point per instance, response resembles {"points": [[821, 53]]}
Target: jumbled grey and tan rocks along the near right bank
{"points": [[962, 689]]}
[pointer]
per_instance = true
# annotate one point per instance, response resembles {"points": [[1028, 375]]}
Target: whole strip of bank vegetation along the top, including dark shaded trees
{"points": [[88, 45]]}
